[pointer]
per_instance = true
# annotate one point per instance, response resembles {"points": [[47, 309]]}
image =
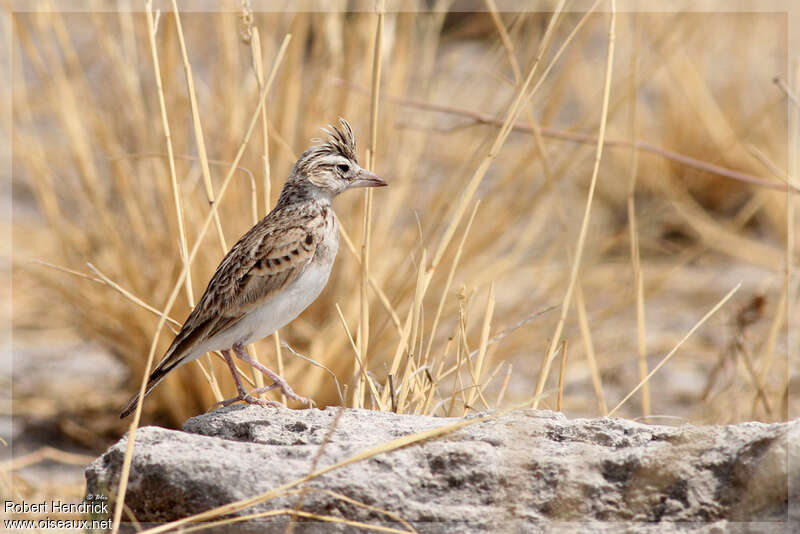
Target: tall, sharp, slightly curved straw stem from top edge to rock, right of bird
{"points": [[586, 214]]}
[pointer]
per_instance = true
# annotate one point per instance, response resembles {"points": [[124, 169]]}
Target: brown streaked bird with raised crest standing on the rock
{"points": [[274, 271]]}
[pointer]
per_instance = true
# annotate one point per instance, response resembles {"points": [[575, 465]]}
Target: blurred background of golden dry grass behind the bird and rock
{"points": [[462, 305]]}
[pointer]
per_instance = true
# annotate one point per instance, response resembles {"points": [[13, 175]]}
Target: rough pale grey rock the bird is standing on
{"points": [[506, 474]]}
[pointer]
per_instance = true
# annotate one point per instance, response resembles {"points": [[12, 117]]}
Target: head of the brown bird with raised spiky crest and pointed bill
{"points": [[331, 166]]}
